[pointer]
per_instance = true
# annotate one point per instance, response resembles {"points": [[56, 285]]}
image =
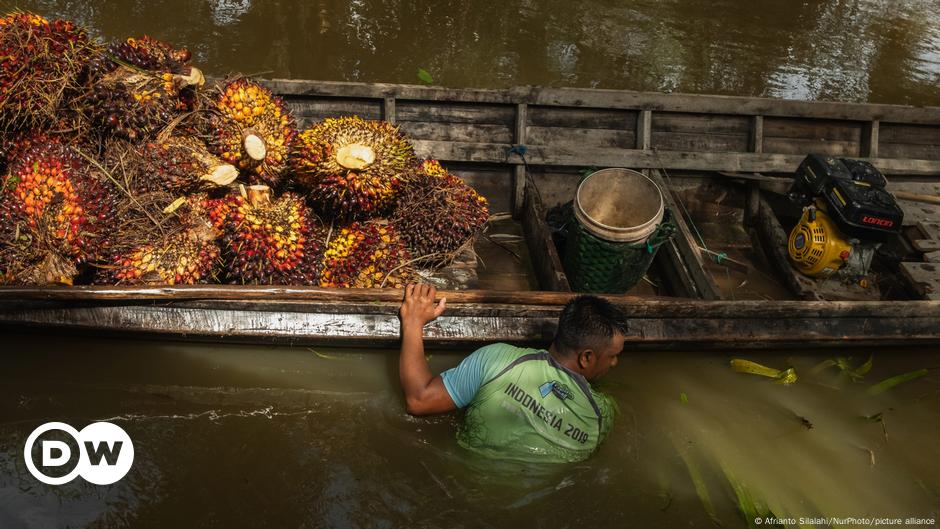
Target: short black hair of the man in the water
{"points": [[588, 322]]}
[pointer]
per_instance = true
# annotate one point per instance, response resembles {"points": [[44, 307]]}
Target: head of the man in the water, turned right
{"points": [[591, 333]]}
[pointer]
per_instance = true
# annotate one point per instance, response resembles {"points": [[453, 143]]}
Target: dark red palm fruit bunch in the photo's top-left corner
{"points": [[40, 61]]}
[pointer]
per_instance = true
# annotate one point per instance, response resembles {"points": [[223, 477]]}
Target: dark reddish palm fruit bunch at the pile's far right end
{"points": [[438, 214]]}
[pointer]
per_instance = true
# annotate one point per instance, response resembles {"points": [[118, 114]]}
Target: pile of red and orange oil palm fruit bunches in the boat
{"points": [[121, 167]]}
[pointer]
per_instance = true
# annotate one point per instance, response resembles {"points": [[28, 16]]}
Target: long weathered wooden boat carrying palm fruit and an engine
{"points": [[724, 281]]}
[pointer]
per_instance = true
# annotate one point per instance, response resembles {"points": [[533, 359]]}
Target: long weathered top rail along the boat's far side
{"points": [[617, 99]]}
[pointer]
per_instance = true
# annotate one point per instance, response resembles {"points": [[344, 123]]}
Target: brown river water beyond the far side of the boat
{"points": [[849, 50]]}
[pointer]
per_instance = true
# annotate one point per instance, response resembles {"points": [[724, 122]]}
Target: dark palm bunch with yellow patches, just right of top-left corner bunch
{"points": [[133, 104]]}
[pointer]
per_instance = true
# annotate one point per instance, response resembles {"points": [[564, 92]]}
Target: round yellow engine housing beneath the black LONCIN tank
{"points": [[817, 247]]}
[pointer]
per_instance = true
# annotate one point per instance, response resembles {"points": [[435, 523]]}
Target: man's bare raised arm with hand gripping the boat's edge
{"points": [[425, 394]]}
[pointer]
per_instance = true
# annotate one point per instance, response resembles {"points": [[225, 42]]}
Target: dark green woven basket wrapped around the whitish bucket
{"points": [[595, 265]]}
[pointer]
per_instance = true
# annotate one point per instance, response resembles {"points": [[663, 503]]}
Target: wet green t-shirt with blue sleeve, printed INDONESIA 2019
{"points": [[522, 404]]}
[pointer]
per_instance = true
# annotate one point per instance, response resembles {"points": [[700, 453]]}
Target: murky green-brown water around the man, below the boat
{"points": [[284, 437]]}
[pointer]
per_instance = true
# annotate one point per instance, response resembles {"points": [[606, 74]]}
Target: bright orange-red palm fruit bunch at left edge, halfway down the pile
{"points": [[51, 188]]}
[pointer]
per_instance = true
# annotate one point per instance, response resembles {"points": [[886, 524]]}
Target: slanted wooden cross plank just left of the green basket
{"points": [[545, 260]]}
